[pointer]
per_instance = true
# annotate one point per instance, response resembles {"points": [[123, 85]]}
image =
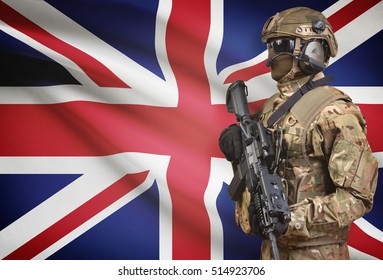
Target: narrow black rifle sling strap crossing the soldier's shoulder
{"points": [[295, 97]]}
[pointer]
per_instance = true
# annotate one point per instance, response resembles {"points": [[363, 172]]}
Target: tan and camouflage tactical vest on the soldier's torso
{"points": [[303, 163]]}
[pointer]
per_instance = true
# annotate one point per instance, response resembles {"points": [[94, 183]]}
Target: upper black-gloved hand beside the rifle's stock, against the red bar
{"points": [[230, 142]]}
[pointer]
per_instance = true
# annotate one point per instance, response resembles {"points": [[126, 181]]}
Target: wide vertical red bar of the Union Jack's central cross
{"points": [[189, 168]]}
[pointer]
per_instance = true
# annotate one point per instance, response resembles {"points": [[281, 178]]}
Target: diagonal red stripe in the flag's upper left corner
{"points": [[97, 71]]}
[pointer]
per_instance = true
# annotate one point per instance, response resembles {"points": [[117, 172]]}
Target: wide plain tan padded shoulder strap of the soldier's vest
{"points": [[312, 103]]}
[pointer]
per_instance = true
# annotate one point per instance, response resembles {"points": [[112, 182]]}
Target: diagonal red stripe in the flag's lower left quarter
{"points": [[77, 217]]}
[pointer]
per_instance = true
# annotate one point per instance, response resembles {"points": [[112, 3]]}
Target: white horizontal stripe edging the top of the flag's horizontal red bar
{"points": [[67, 93]]}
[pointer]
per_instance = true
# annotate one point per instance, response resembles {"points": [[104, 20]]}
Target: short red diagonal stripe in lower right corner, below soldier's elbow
{"points": [[361, 241]]}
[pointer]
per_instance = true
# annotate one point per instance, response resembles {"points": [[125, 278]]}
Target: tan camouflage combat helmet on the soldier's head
{"points": [[301, 22]]}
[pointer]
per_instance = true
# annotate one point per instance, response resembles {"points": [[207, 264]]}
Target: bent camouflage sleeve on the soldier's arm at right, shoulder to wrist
{"points": [[352, 168]]}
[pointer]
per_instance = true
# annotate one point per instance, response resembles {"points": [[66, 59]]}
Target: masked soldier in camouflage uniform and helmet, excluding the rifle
{"points": [[324, 159]]}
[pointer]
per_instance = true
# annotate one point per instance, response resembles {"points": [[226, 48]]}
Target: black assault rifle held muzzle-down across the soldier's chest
{"points": [[269, 211]]}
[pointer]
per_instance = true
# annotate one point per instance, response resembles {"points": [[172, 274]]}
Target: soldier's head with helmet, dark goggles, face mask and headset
{"points": [[300, 42]]}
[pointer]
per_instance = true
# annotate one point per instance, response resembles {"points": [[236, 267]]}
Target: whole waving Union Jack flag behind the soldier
{"points": [[110, 116]]}
